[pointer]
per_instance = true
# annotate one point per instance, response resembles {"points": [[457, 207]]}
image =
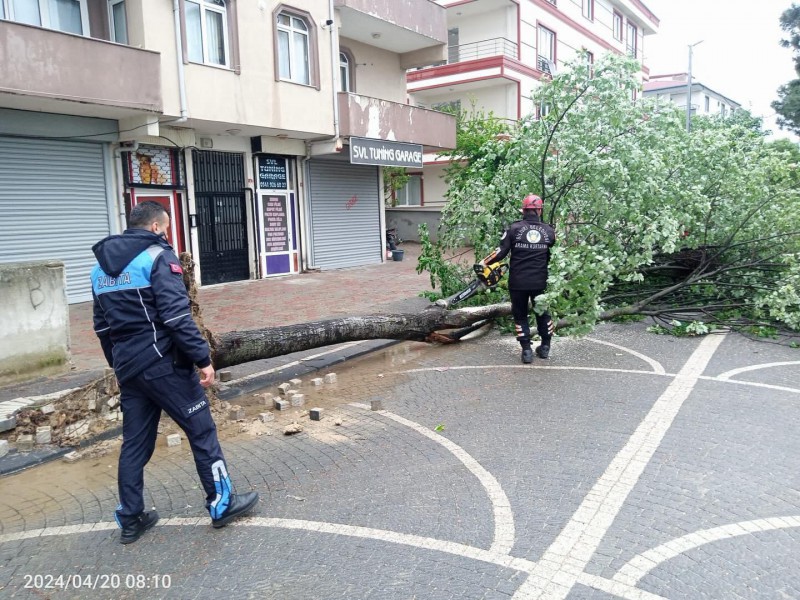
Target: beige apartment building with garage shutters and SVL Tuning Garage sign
{"points": [[261, 125]]}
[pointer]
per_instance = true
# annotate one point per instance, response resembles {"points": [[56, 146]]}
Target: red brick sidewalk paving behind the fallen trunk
{"points": [[282, 301]]}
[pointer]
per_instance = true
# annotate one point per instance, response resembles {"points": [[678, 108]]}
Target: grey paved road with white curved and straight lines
{"points": [[628, 465]]}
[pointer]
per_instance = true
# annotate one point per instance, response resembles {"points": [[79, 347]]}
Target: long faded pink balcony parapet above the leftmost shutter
{"points": [[51, 71]]}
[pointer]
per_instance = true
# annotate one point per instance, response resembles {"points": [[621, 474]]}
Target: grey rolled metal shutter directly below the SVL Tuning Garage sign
{"points": [[345, 214]]}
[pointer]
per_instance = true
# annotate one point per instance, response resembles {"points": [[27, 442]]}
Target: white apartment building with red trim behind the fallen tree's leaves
{"points": [[499, 51]]}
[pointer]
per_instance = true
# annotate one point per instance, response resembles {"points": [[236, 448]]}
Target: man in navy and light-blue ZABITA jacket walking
{"points": [[145, 326]]}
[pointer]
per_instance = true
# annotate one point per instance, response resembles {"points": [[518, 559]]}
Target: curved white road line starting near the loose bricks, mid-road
{"points": [[501, 507]]}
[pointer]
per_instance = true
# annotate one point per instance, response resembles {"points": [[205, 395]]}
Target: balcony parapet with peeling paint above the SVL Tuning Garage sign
{"points": [[362, 116]]}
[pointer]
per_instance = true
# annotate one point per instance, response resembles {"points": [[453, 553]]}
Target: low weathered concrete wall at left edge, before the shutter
{"points": [[34, 322]]}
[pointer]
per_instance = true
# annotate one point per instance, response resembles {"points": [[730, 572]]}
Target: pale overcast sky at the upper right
{"points": [[740, 56]]}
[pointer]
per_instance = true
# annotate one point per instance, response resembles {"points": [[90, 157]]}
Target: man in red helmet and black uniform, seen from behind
{"points": [[529, 242]]}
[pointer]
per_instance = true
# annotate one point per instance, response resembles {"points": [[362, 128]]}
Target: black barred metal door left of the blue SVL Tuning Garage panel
{"points": [[221, 216]]}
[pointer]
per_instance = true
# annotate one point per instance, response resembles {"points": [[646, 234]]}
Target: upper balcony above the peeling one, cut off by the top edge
{"points": [[414, 29]]}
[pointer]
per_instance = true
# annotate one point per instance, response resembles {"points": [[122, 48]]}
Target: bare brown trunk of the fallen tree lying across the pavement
{"points": [[236, 347]]}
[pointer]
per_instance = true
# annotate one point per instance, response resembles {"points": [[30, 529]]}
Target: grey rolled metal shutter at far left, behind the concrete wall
{"points": [[53, 206]]}
